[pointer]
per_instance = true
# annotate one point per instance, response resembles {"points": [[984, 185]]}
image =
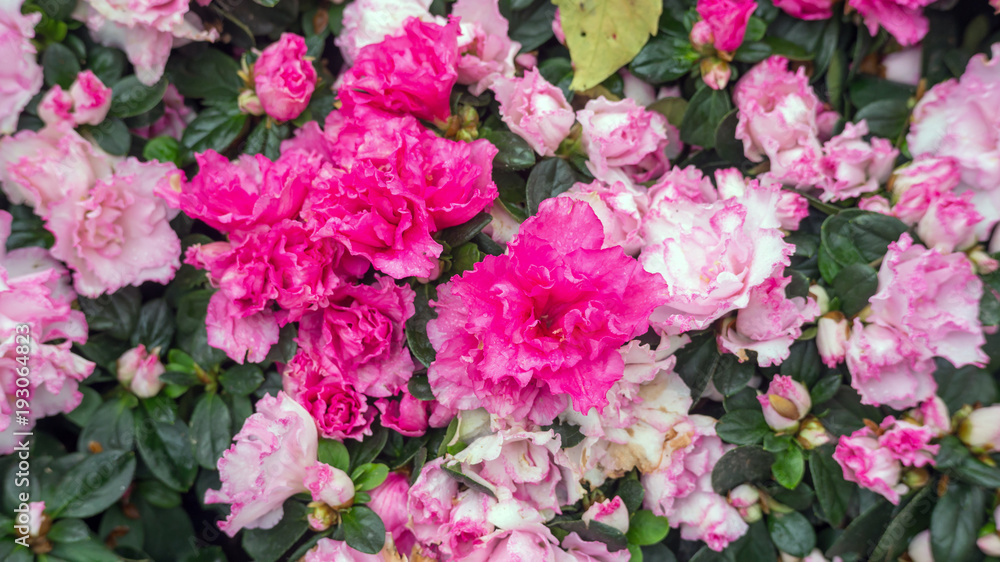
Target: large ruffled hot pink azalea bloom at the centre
{"points": [[543, 345]]}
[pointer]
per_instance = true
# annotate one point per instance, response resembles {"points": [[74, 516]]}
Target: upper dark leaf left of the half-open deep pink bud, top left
{"points": [[211, 75]]}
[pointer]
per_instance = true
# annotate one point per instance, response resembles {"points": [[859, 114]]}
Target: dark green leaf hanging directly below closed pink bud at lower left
{"points": [[165, 447]]}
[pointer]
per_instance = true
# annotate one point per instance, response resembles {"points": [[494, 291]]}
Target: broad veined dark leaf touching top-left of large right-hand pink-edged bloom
{"points": [[855, 236]]}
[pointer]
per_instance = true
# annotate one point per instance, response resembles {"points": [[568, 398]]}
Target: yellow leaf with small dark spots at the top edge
{"points": [[604, 35]]}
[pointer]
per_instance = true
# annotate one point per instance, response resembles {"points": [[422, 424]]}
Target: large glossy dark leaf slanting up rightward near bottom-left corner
{"points": [[93, 485]]}
